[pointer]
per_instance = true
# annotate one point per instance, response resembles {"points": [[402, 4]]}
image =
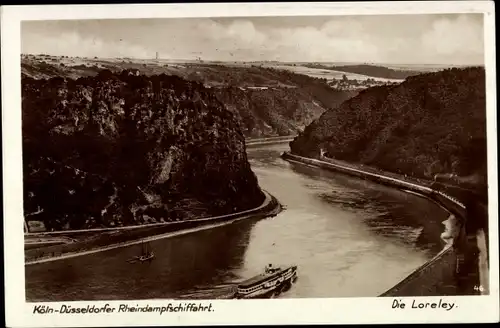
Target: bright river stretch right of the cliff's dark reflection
{"points": [[353, 237]]}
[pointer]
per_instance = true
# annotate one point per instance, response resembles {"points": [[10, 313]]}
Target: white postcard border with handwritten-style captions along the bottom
{"points": [[287, 311]]}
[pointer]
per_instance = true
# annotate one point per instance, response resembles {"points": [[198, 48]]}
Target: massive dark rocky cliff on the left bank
{"points": [[120, 149]]}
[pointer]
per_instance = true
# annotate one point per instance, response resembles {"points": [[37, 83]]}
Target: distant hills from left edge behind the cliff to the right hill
{"points": [[265, 101]]}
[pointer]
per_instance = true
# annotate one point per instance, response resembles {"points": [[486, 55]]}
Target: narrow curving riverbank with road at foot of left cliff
{"points": [[89, 241]]}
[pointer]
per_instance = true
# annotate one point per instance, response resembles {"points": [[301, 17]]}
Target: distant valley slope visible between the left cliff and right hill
{"points": [[283, 103]]}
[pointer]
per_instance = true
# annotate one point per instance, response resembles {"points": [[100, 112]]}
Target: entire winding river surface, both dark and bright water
{"points": [[349, 237]]}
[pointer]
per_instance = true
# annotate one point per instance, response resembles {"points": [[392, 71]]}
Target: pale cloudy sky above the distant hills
{"points": [[455, 39]]}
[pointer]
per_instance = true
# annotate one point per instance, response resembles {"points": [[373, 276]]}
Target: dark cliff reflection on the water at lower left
{"points": [[201, 259]]}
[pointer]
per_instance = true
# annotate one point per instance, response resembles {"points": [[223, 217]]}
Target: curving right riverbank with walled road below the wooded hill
{"points": [[432, 278]]}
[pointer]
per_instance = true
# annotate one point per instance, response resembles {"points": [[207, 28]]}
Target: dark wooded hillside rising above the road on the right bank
{"points": [[431, 123]]}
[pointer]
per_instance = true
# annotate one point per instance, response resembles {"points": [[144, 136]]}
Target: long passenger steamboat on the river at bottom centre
{"points": [[269, 284]]}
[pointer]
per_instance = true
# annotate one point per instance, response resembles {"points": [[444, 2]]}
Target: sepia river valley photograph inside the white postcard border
{"points": [[255, 157]]}
